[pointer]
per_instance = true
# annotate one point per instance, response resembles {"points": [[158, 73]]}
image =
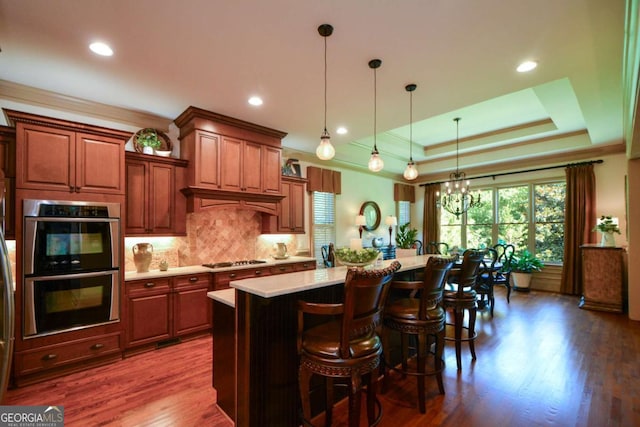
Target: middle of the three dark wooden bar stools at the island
{"points": [[419, 316]]}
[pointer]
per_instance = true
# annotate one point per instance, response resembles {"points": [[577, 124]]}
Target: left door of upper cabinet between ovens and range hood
{"points": [[137, 195]]}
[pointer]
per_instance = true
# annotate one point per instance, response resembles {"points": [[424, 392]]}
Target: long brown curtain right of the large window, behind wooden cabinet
{"points": [[580, 218]]}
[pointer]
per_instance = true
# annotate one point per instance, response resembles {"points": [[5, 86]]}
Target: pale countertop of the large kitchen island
{"points": [[284, 284]]}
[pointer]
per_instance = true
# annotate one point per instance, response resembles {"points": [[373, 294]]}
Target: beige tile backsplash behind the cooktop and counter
{"points": [[215, 235]]}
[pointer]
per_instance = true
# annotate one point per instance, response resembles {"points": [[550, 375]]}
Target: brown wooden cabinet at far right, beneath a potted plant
{"points": [[603, 272]]}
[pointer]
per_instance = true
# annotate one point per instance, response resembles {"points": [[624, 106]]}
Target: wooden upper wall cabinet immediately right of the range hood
{"points": [[290, 218]]}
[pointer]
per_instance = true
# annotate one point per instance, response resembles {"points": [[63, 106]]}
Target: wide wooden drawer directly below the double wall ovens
{"points": [[67, 353]]}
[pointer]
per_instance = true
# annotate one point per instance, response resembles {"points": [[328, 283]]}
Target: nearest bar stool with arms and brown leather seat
{"points": [[348, 346]]}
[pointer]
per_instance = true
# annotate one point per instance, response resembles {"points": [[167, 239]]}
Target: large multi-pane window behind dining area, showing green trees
{"points": [[529, 216]]}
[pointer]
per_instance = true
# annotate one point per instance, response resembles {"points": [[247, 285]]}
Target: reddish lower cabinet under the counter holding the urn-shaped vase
{"points": [[167, 308]]}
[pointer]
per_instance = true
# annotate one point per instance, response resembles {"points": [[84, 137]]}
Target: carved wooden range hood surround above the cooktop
{"points": [[232, 163]]}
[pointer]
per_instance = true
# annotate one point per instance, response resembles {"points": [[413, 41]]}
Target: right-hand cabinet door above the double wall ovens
{"points": [[99, 164]]}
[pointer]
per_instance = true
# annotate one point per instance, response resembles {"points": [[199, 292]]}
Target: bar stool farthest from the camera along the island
{"points": [[463, 297]]}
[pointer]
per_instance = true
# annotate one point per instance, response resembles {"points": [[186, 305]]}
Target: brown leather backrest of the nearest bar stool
{"points": [[365, 293]]}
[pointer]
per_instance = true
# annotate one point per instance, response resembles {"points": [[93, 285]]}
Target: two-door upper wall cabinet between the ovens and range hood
{"points": [[154, 203]]}
